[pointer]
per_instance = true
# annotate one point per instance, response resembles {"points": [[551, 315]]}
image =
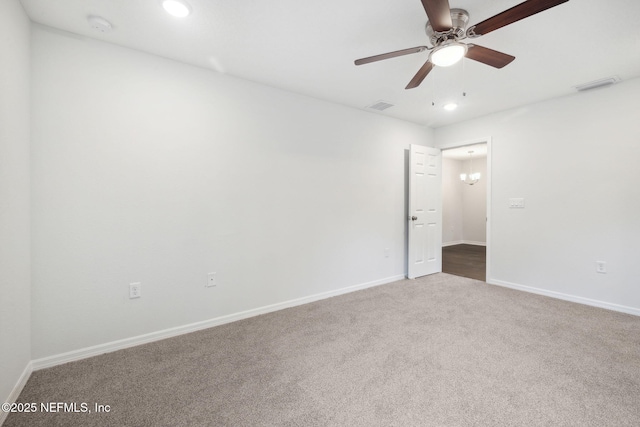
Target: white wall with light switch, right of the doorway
{"points": [[575, 161]]}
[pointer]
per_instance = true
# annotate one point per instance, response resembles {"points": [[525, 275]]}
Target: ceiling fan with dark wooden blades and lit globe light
{"points": [[447, 27]]}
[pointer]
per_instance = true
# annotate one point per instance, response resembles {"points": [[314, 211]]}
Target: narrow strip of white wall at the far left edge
{"points": [[15, 343]]}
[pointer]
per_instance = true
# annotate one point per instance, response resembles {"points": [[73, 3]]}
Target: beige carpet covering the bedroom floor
{"points": [[436, 351]]}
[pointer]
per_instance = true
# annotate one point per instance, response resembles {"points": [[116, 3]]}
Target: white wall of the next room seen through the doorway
{"points": [[464, 206]]}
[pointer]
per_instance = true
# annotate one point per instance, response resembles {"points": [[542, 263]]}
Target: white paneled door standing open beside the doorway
{"points": [[425, 214]]}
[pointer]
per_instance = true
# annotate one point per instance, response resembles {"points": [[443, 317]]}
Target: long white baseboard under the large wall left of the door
{"points": [[96, 350]]}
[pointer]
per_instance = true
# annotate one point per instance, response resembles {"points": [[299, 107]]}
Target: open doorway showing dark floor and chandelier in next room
{"points": [[465, 192]]}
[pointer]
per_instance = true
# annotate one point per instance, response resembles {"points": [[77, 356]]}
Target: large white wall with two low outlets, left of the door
{"points": [[149, 170]]}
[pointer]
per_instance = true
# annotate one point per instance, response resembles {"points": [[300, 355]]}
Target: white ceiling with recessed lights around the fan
{"points": [[309, 48]]}
